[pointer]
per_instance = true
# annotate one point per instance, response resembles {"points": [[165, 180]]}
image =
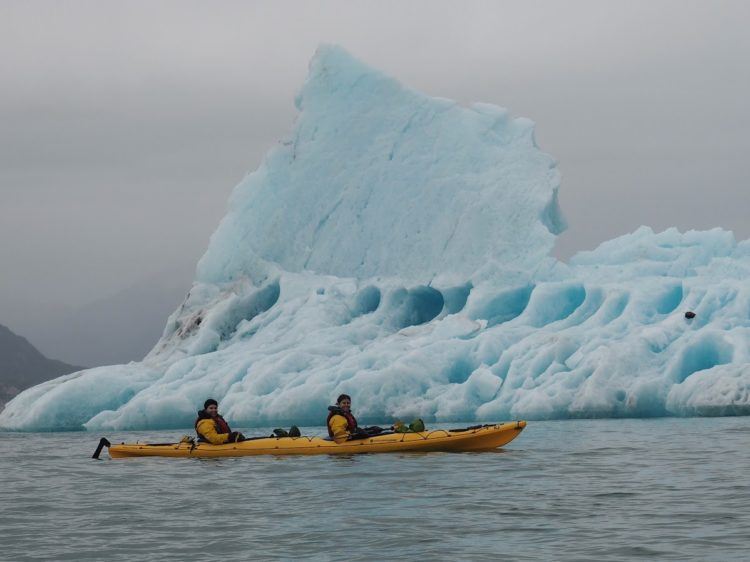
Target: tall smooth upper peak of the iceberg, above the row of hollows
{"points": [[379, 180]]}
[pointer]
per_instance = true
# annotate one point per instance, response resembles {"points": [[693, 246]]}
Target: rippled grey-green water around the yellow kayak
{"points": [[670, 489]]}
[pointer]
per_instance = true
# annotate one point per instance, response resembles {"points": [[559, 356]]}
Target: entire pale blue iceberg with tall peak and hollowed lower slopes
{"points": [[396, 248]]}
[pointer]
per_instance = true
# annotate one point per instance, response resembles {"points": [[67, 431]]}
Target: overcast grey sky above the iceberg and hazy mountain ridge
{"points": [[125, 125]]}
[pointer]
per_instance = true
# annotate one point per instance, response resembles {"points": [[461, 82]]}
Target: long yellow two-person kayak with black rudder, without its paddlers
{"points": [[476, 438]]}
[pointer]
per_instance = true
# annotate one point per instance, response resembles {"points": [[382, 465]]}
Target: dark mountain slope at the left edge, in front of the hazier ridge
{"points": [[22, 366]]}
